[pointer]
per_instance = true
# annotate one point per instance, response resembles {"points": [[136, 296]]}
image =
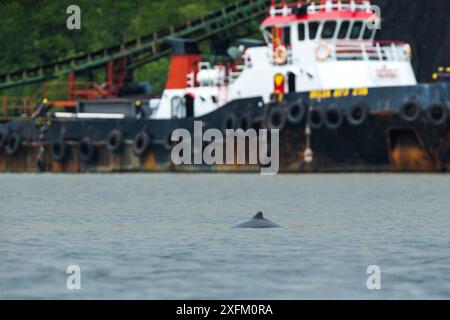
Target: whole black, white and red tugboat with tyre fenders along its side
{"points": [[342, 102]]}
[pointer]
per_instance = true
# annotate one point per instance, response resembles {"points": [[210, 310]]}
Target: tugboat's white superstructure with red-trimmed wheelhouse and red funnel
{"points": [[308, 46]]}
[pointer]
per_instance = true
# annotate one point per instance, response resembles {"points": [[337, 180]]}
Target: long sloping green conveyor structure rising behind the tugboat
{"points": [[143, 49]]}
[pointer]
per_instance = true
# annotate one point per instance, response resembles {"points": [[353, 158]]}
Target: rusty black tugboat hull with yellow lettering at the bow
{"points": [[386, 141]]}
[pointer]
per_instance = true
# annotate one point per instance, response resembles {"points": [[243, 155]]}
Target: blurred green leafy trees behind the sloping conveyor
{"points": [[33, 32]]}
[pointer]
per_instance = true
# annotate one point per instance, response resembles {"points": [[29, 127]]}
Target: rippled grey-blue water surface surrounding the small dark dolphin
{"points": [[168, 236]]}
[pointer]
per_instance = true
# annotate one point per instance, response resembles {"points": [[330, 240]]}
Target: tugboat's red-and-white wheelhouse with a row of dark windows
{"points": [[335, 30]]}
